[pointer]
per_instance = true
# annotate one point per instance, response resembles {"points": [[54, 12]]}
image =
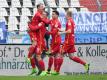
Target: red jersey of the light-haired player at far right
{"points": [[69, 37]]}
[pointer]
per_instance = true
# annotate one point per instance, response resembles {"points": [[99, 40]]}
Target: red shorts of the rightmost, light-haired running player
{"points": [[68, 48]]}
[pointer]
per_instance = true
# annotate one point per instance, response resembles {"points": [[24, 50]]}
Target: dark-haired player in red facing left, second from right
{"points": [[55, 44]]}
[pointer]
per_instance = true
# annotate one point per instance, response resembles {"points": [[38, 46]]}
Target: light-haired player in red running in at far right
{"points": [[69, 43]]}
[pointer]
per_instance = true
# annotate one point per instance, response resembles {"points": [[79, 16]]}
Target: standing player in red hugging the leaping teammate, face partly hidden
{"points": [[41, 46]]}
